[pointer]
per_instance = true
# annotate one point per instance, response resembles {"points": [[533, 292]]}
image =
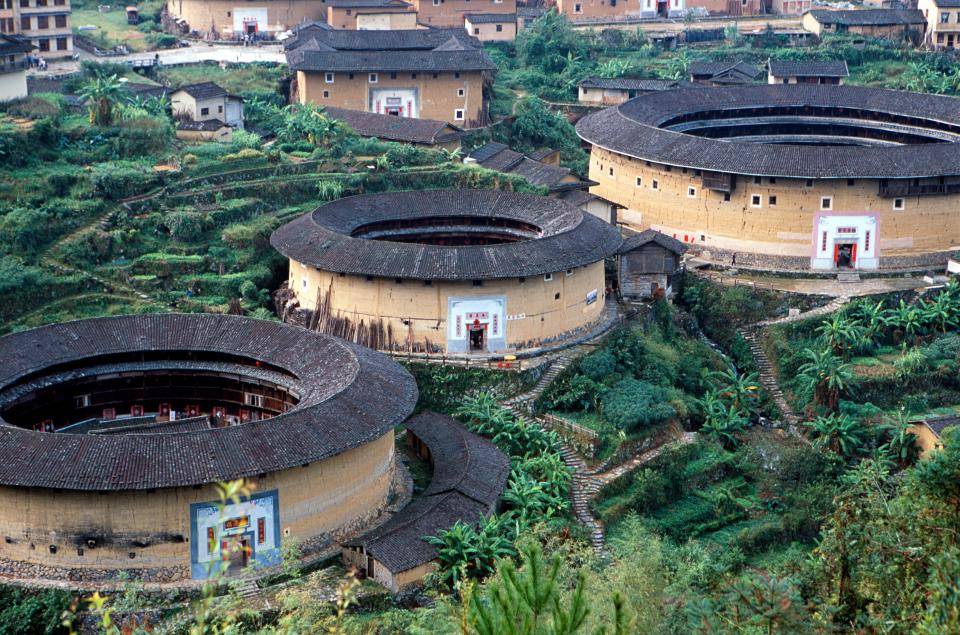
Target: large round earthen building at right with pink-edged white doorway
{"points": [[787, 176]]}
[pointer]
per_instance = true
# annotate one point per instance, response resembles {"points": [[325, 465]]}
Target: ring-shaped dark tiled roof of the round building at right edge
{"points": [[633, 129]]}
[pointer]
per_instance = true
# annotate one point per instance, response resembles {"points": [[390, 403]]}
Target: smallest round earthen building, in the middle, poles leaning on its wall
{"points": [[468, 271]]}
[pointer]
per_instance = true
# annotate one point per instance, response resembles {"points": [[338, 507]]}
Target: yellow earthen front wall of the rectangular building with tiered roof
{"points": [[438, 98]]}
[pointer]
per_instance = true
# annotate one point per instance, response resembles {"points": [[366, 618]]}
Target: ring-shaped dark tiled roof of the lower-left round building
{"points": [[349, 395]]}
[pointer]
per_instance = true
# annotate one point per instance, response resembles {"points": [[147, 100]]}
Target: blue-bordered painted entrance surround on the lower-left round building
{"points": [[223, 541]]}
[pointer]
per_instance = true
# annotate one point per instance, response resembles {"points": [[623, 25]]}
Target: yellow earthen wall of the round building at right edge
{"points": [[784, 228]]}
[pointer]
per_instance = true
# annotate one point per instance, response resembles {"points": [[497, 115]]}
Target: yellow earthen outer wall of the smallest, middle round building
{"points": [[534, 312]]}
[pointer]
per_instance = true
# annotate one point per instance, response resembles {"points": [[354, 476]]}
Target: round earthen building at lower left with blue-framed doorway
{"points": [[115, 432]]}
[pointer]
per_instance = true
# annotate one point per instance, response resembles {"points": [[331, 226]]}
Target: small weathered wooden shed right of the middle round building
{"points": [[649, 264]]}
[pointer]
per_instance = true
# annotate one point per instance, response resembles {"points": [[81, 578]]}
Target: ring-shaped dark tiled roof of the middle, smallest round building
{"points": [[323, 238]]}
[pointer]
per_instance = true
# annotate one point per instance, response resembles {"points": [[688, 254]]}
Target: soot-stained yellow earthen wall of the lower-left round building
{"points": [[333, 496]]}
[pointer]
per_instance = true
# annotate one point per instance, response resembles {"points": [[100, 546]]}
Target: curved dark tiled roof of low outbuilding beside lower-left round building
{"points": [[469, 474]]}
